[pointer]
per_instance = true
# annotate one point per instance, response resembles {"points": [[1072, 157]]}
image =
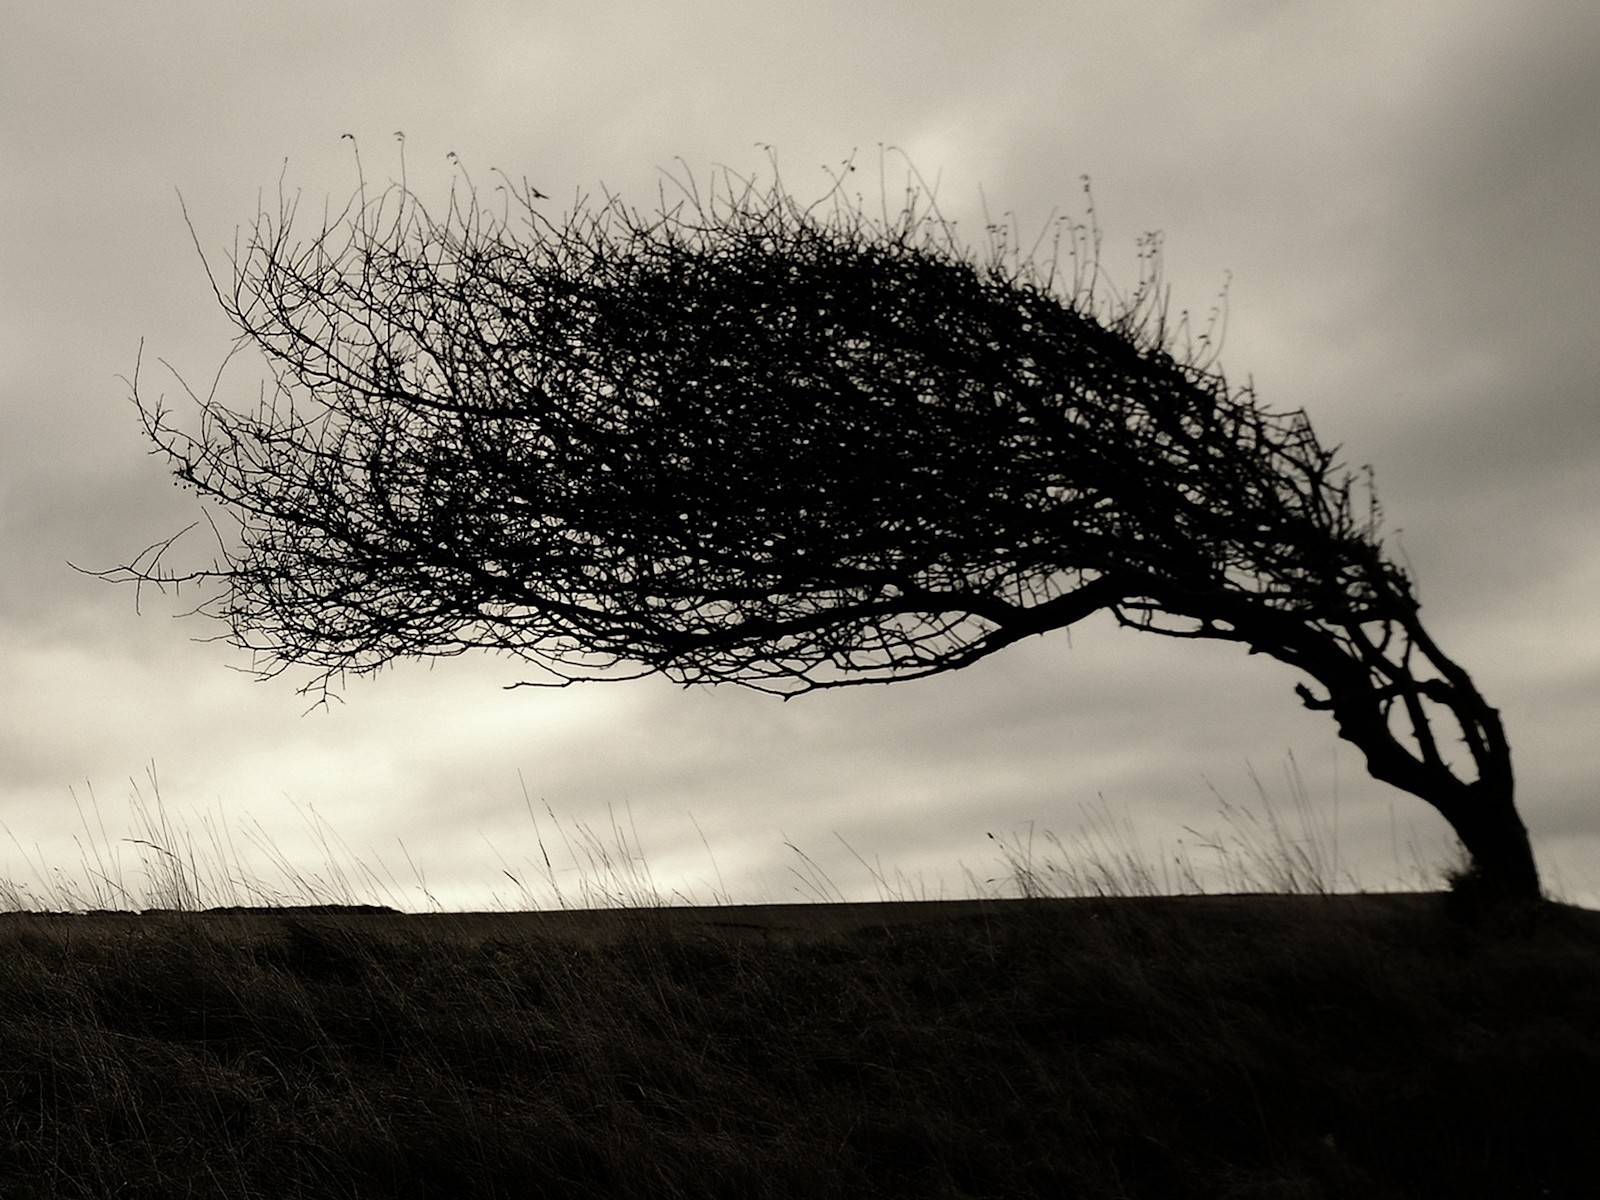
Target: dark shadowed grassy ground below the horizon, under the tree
{"points": [[1207, 1047]]}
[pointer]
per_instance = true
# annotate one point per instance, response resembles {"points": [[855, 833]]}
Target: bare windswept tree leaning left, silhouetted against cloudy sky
{"points": [[745, 441]]}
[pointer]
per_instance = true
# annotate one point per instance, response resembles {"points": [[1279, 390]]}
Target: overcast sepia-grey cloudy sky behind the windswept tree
{"points": [[1402, 201]]}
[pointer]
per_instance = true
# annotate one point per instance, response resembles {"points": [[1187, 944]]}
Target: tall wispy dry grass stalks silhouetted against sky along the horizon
{"points": [[164, 863]]}
